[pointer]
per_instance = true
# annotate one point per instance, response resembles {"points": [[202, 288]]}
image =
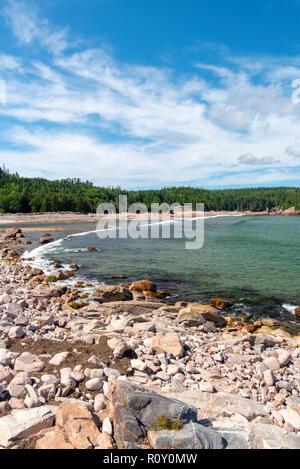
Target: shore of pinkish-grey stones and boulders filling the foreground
{"points": [[124, 368]]}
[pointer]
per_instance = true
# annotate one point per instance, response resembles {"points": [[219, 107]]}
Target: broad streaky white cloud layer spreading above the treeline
{"points": [[87, 114]]}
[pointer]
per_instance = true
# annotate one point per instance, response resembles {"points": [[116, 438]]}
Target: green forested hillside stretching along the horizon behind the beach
{"points": [[30, 195]]}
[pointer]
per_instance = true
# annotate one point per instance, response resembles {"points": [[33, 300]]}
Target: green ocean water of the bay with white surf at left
{"points": [[254, 261]]}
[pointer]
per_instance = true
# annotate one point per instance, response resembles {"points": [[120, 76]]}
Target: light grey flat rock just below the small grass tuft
{"points": [[191, 436]]}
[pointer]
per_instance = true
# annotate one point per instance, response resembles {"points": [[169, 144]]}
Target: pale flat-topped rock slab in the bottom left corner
{"points": [[24, 423]]}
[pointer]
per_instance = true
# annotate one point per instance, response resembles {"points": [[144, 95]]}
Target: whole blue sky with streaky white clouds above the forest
{"points": [[147, 94]]}
